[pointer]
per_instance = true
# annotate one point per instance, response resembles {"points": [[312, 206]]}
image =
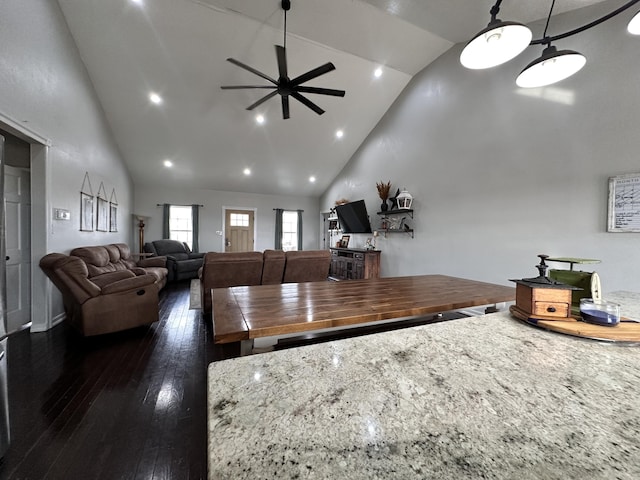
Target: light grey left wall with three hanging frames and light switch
{"points": [[44, 89]]}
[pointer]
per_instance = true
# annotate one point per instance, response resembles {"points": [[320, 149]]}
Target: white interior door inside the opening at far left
{"points": [[18, 242]]}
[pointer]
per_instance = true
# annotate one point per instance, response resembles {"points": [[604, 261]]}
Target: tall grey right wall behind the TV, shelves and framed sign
{"points": [[499, 174]]}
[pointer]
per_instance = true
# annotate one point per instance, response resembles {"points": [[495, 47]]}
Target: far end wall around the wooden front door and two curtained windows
{"points": [[211, 217]]}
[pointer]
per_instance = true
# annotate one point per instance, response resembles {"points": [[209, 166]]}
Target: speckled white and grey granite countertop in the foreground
{"points": [[483, 397]]}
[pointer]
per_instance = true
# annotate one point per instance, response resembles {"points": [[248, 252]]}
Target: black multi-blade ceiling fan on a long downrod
{"points": [[284, 86]]}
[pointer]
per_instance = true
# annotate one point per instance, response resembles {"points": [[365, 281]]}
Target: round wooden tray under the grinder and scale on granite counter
{"points": [[625, 331]]}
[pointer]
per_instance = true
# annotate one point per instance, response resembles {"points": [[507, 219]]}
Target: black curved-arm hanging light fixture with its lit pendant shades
{"points": [[502, 41]]}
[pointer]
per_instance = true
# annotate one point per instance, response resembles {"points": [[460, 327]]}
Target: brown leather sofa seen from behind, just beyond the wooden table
{"points": [[221, 270]]}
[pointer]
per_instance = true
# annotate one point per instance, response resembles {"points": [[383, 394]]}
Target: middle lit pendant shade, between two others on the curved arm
{"points": [[551, 67]]}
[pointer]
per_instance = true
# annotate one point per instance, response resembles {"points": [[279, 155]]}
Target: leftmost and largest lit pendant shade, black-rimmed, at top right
{"points": [[495, 45]]}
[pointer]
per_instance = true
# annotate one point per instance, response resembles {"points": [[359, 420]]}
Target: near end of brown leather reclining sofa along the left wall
{"points": [[106, 303]]}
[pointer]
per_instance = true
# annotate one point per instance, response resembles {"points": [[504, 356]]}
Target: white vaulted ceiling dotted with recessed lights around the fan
{"points": [[178, 49]]}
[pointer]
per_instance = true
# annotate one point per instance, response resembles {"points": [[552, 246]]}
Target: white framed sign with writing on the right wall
{"points": [[624, 203]]}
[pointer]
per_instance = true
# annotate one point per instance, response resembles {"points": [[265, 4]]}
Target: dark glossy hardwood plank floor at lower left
{"points": [[130, 405]]}
